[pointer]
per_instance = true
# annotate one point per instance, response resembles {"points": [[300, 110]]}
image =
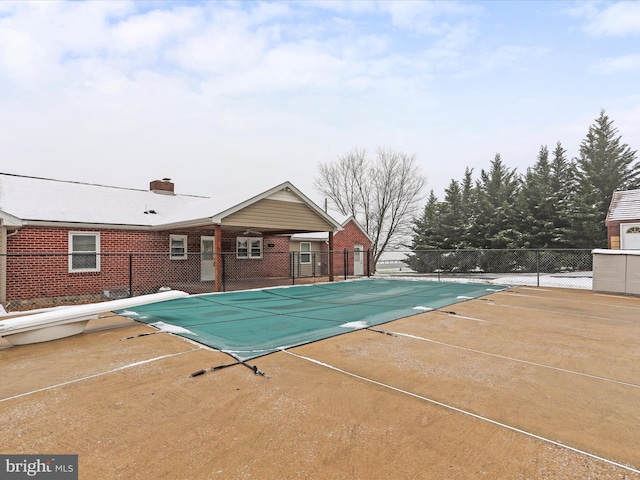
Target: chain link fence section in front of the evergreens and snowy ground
{"points": [[569, 268]]}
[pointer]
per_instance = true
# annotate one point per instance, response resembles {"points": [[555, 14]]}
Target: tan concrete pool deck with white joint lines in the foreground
{"points": [[528, 383]]}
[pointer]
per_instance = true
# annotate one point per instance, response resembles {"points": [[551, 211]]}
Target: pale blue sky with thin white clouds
{"points": [[226, 97]]}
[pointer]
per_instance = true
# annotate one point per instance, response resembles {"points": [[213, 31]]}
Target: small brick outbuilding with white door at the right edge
{"points": [[623, 220]]}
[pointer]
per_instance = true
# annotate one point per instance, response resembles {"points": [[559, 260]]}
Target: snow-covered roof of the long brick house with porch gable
{"points": [[37, 201]]}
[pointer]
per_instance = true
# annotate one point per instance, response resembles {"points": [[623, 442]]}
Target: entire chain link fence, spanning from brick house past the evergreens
{"points": [[49, 279]]}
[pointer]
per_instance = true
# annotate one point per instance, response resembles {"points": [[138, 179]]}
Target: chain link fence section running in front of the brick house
{"points": [[50, 279]]}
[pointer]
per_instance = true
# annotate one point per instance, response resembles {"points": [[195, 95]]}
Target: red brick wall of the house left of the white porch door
{"points": [[44, 270]]}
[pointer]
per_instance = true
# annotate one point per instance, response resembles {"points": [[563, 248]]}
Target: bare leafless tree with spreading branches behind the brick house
{"points": [[383, 194]]}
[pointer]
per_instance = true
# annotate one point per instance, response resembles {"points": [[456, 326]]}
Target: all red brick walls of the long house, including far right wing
{"points": [[43, 270]]}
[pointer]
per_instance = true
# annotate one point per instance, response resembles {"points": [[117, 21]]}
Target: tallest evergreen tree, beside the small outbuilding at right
{"points": [[605, 165]]}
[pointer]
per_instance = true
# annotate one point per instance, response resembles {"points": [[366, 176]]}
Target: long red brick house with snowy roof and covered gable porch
{"points": [[76, 242]]}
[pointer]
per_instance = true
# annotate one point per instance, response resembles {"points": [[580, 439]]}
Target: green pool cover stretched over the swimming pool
{"points": [[249, 324]]}
